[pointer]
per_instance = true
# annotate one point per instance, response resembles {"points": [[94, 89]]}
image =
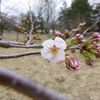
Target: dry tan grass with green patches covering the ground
{"points": [[76, 85]]}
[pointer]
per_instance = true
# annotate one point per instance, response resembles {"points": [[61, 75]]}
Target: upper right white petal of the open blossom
{"points": [[59, 42]]}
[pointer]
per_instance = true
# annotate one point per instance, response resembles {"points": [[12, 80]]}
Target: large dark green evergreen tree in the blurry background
{"points": [[80, 11]]}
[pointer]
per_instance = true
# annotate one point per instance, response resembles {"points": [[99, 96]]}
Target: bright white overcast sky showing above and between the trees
{"points": [[22, 5]]}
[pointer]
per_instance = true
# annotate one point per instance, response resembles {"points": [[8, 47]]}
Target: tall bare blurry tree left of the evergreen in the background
{"points": [[50, 14]]}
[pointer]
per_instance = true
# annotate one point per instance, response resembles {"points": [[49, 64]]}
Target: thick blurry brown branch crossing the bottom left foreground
{"points": [[28, 87]]}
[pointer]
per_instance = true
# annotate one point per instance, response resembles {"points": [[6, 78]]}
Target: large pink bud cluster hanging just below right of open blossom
{"points": [[72, 63]]}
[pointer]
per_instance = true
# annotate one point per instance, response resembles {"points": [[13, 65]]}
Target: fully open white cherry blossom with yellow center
{"points": [[53, 50]]}
